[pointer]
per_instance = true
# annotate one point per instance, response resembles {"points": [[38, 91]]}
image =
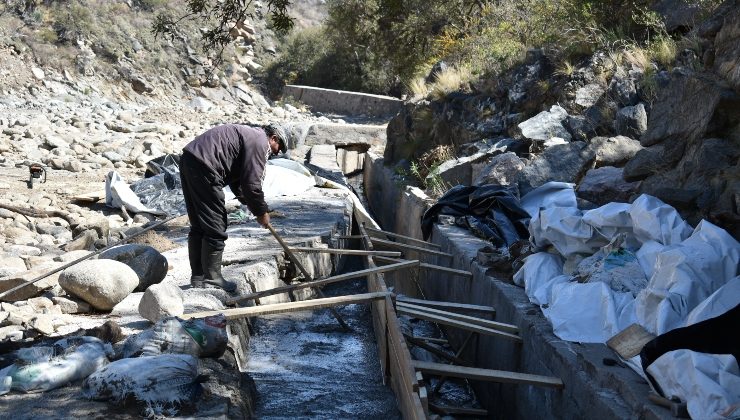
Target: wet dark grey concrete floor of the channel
{"points": [[305, 365]]}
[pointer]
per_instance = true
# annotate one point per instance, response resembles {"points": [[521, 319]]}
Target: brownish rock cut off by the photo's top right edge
{"points": [[727, 46]]}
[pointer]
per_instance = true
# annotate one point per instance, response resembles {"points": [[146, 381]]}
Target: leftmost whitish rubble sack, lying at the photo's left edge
{"points": [[41, 368]]}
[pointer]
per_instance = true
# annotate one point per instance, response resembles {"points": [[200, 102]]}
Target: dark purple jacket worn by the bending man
{"points": [[238, 155]]}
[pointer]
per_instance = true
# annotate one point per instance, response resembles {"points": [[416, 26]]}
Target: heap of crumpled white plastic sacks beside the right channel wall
{"points": [[620, 264]]}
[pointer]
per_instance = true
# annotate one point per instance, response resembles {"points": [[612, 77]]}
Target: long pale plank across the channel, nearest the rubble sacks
{"points": [[279, 308]]}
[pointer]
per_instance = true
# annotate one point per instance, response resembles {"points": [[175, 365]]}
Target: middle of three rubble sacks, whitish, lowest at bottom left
{"points": [[162, 383]]}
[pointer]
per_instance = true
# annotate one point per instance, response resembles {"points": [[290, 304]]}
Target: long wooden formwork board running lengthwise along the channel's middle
{"points": [[395, 359]]}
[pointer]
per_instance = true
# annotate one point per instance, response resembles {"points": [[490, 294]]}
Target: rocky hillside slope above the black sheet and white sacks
{"points": [[618, 124]]}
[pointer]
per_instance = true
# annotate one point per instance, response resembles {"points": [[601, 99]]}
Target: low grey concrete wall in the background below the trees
{"points": [[343, 102]]}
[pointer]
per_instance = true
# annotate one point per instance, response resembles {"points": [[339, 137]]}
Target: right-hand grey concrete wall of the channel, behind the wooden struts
{"points": [[594, 386]]}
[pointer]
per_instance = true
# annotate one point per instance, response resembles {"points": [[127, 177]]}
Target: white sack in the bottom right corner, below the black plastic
{"points": [[709, 383]]}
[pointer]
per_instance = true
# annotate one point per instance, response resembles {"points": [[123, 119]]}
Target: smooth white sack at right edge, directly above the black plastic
{"points": [[685, 275]]}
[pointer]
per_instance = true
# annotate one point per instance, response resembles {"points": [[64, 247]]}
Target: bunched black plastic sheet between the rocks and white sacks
{"points": [[491, 212]]}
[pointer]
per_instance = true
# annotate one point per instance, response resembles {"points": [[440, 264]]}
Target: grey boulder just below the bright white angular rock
{"points": [[565, 163]]}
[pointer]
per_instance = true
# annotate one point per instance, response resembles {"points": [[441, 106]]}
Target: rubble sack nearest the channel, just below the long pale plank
{"points": [[203, 337]]}
